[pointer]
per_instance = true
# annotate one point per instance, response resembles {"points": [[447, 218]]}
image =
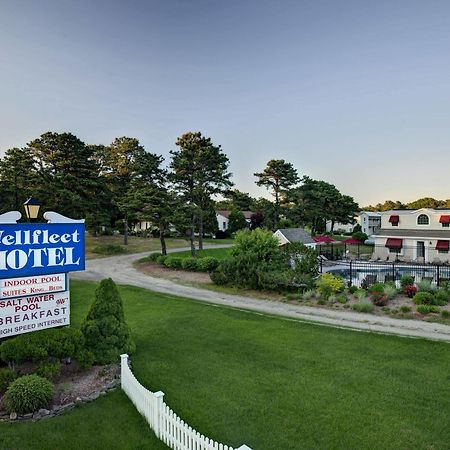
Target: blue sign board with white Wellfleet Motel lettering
{"points": [[38, 249]]}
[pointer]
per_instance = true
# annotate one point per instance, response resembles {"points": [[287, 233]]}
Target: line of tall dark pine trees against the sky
{"points": [[115, 185]]}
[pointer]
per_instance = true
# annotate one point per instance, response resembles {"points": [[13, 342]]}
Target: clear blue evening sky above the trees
{"points": [[356, 93]]}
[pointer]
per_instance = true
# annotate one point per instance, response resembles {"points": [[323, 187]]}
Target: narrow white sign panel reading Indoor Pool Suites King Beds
{"points": [[39, 284]]}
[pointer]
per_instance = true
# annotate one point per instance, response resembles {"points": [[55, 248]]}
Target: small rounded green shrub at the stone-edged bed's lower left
{"points": [[28, 394]]}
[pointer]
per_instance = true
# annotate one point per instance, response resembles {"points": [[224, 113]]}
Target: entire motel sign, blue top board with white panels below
{"points": [[34, 261]]}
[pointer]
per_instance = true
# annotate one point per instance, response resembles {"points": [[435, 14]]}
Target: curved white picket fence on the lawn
{"points": [[169, 428]]}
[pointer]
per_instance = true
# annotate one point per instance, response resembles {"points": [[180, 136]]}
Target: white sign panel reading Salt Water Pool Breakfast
{"points": [[33, 313]]}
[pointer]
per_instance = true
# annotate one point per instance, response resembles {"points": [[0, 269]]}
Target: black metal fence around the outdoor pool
{"points": [[361, 274]]}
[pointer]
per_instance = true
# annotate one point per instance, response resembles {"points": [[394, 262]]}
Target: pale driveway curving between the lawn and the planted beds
{"points": [[121, 270]]}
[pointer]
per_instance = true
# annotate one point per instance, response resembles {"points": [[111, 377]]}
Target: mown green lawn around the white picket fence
{"points": [[273, 384]]}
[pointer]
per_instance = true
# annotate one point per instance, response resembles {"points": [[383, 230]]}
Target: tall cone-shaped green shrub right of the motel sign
{"points": [[106, 333]]}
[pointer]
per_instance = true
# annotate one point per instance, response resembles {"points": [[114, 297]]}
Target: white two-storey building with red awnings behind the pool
{"points": [[421, 235]]}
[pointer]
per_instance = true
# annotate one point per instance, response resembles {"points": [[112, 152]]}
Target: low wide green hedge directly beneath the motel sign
{"points": [[55, 343]]}
